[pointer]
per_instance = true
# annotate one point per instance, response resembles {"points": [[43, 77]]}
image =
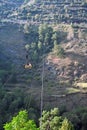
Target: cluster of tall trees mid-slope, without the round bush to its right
{"points": [[40, 41]]}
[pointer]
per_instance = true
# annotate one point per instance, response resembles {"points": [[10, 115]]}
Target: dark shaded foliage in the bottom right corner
{"points": [[78, 117]]}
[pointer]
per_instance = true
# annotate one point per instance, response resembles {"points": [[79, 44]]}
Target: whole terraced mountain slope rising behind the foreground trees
{"points": [[65, 79]]}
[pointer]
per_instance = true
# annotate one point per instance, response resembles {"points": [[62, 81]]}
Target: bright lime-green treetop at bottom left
{"points": [[21, 122]]}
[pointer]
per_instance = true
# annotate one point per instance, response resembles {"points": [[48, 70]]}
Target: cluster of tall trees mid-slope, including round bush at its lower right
{"points": [[43, 40]]}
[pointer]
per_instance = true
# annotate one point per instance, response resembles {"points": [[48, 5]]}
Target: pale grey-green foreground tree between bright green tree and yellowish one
{"points": [[50, 120]]}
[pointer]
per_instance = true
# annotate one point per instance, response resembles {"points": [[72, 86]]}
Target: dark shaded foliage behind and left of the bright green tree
{"points": [[11, 103]]}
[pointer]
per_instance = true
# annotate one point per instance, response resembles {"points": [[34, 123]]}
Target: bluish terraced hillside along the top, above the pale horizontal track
{"points": [[56, 11]]}
